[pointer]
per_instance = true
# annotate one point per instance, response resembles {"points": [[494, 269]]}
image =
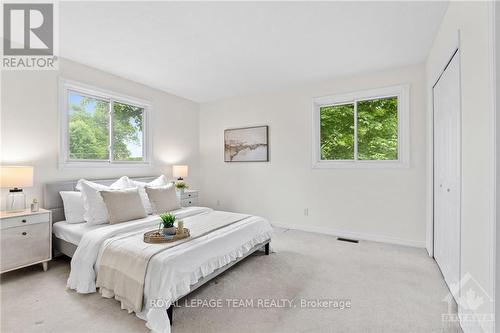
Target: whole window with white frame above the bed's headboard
{"points": [[102, 128]]}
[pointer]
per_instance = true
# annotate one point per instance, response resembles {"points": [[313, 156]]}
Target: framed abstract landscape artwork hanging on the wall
{"points": [[248, 144]]}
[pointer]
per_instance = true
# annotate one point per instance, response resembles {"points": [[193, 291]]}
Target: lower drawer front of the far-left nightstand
{"points": [[25, 245]]}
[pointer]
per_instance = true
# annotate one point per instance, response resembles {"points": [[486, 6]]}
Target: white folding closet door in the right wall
{"points": [[447, 172]]}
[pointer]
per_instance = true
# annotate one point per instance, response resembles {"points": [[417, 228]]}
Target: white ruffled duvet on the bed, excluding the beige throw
{"points": [[169, 274]]}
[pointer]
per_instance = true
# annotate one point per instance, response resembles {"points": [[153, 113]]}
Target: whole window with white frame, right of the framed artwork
{"points": [[364, 129]]}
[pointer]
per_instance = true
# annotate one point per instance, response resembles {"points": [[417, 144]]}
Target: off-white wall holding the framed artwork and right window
{"points": [[383, 204]]}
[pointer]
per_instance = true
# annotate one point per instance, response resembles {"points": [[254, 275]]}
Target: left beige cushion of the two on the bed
{"points": [[123, 205]]}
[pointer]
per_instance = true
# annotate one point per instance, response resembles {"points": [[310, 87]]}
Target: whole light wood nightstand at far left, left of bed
{"points": [[25, 239]]}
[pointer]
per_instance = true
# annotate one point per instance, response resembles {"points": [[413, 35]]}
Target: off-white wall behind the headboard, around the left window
{"points": [[30, 125]]}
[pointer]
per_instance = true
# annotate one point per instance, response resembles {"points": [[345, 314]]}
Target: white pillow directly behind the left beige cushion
{"points": [[95, 209]]}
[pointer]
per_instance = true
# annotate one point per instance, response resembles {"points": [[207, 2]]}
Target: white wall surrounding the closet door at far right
{"points": [[473, 19]]}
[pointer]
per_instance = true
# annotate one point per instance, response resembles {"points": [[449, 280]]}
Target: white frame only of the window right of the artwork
{"points": [[402, 92]]}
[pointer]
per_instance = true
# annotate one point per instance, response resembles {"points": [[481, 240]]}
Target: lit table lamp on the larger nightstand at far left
{"points": [[14, 178]]}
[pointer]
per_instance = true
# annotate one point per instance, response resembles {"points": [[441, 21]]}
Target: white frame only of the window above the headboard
{"points": [[67, 86]]}
